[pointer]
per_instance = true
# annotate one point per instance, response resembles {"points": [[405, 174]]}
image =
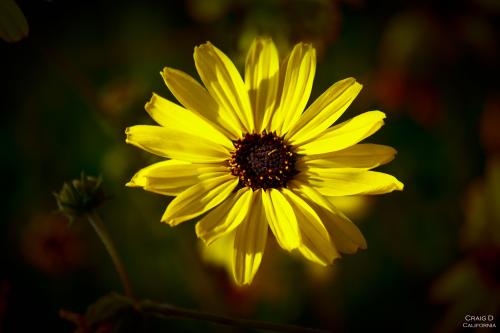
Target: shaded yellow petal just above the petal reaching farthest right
{"points": [[361, 155]]}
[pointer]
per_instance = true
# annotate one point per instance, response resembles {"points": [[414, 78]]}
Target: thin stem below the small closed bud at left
{"points": [[100, 229]]}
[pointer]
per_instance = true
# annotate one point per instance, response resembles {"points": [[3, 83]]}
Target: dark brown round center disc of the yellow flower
{"points": [[262, 160]]}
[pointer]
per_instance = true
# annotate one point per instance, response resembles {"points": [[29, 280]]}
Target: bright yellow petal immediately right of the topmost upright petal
{"points": [[297, 87]]}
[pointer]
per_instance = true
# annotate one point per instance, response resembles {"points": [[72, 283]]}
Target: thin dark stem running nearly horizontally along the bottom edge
{"points": [[169, 310]]}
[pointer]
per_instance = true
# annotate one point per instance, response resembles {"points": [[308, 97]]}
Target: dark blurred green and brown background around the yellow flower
{"points": [[86, 69]]}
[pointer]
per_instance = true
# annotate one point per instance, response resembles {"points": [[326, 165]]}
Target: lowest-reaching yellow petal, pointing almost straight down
{"points": [[250, 243]]}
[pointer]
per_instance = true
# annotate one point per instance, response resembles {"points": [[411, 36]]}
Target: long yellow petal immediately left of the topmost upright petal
{"points": [[224, 83]]}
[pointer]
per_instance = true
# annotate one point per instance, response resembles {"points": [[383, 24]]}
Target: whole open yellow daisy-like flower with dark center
{"points": [[246, 153]]}
